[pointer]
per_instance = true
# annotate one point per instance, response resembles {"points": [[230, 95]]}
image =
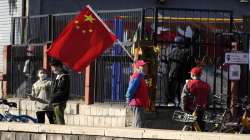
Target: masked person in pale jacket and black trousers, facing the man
{"points": [[40, 94]]}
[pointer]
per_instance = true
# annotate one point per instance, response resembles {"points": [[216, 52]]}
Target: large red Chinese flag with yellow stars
{"points": [[82, 40]]}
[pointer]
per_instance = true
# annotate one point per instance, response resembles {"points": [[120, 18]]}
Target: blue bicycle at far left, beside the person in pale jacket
{"points": [[9, 117]]}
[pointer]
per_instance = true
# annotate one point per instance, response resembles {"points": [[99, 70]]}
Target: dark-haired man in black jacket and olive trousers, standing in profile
{"points": [[60, 90]]}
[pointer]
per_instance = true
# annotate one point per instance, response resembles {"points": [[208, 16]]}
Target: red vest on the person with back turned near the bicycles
{"points": [[200, 90]]}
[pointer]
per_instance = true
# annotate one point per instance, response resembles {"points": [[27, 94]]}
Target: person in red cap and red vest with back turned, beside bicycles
{"points": [[195, 95]]}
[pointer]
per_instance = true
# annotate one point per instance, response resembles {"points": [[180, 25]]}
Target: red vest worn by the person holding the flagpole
{"points": [[141, 95]]}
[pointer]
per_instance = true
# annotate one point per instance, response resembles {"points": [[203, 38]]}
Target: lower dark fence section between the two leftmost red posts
{"points": [[21, 80]]}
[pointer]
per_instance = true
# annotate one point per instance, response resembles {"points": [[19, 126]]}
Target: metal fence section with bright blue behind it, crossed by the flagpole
{"points": [[113, 68]]}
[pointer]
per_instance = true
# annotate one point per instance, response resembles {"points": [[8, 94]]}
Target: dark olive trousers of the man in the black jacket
{"points": [[59, 112]]}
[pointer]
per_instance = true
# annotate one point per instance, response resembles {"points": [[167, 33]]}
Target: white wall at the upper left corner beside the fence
{"points": [[5, 24]]}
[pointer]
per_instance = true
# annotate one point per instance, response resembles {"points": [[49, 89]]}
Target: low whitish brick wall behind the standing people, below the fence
{"points": [[77, 113]]}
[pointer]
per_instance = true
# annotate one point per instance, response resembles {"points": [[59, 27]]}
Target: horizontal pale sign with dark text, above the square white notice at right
{"points": [[236, 58]]}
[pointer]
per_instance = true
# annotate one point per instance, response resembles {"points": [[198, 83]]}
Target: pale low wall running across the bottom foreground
{"points": [[22, 131]]}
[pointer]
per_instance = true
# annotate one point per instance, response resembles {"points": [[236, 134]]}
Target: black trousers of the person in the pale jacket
{"points": [[41, 116]]}
